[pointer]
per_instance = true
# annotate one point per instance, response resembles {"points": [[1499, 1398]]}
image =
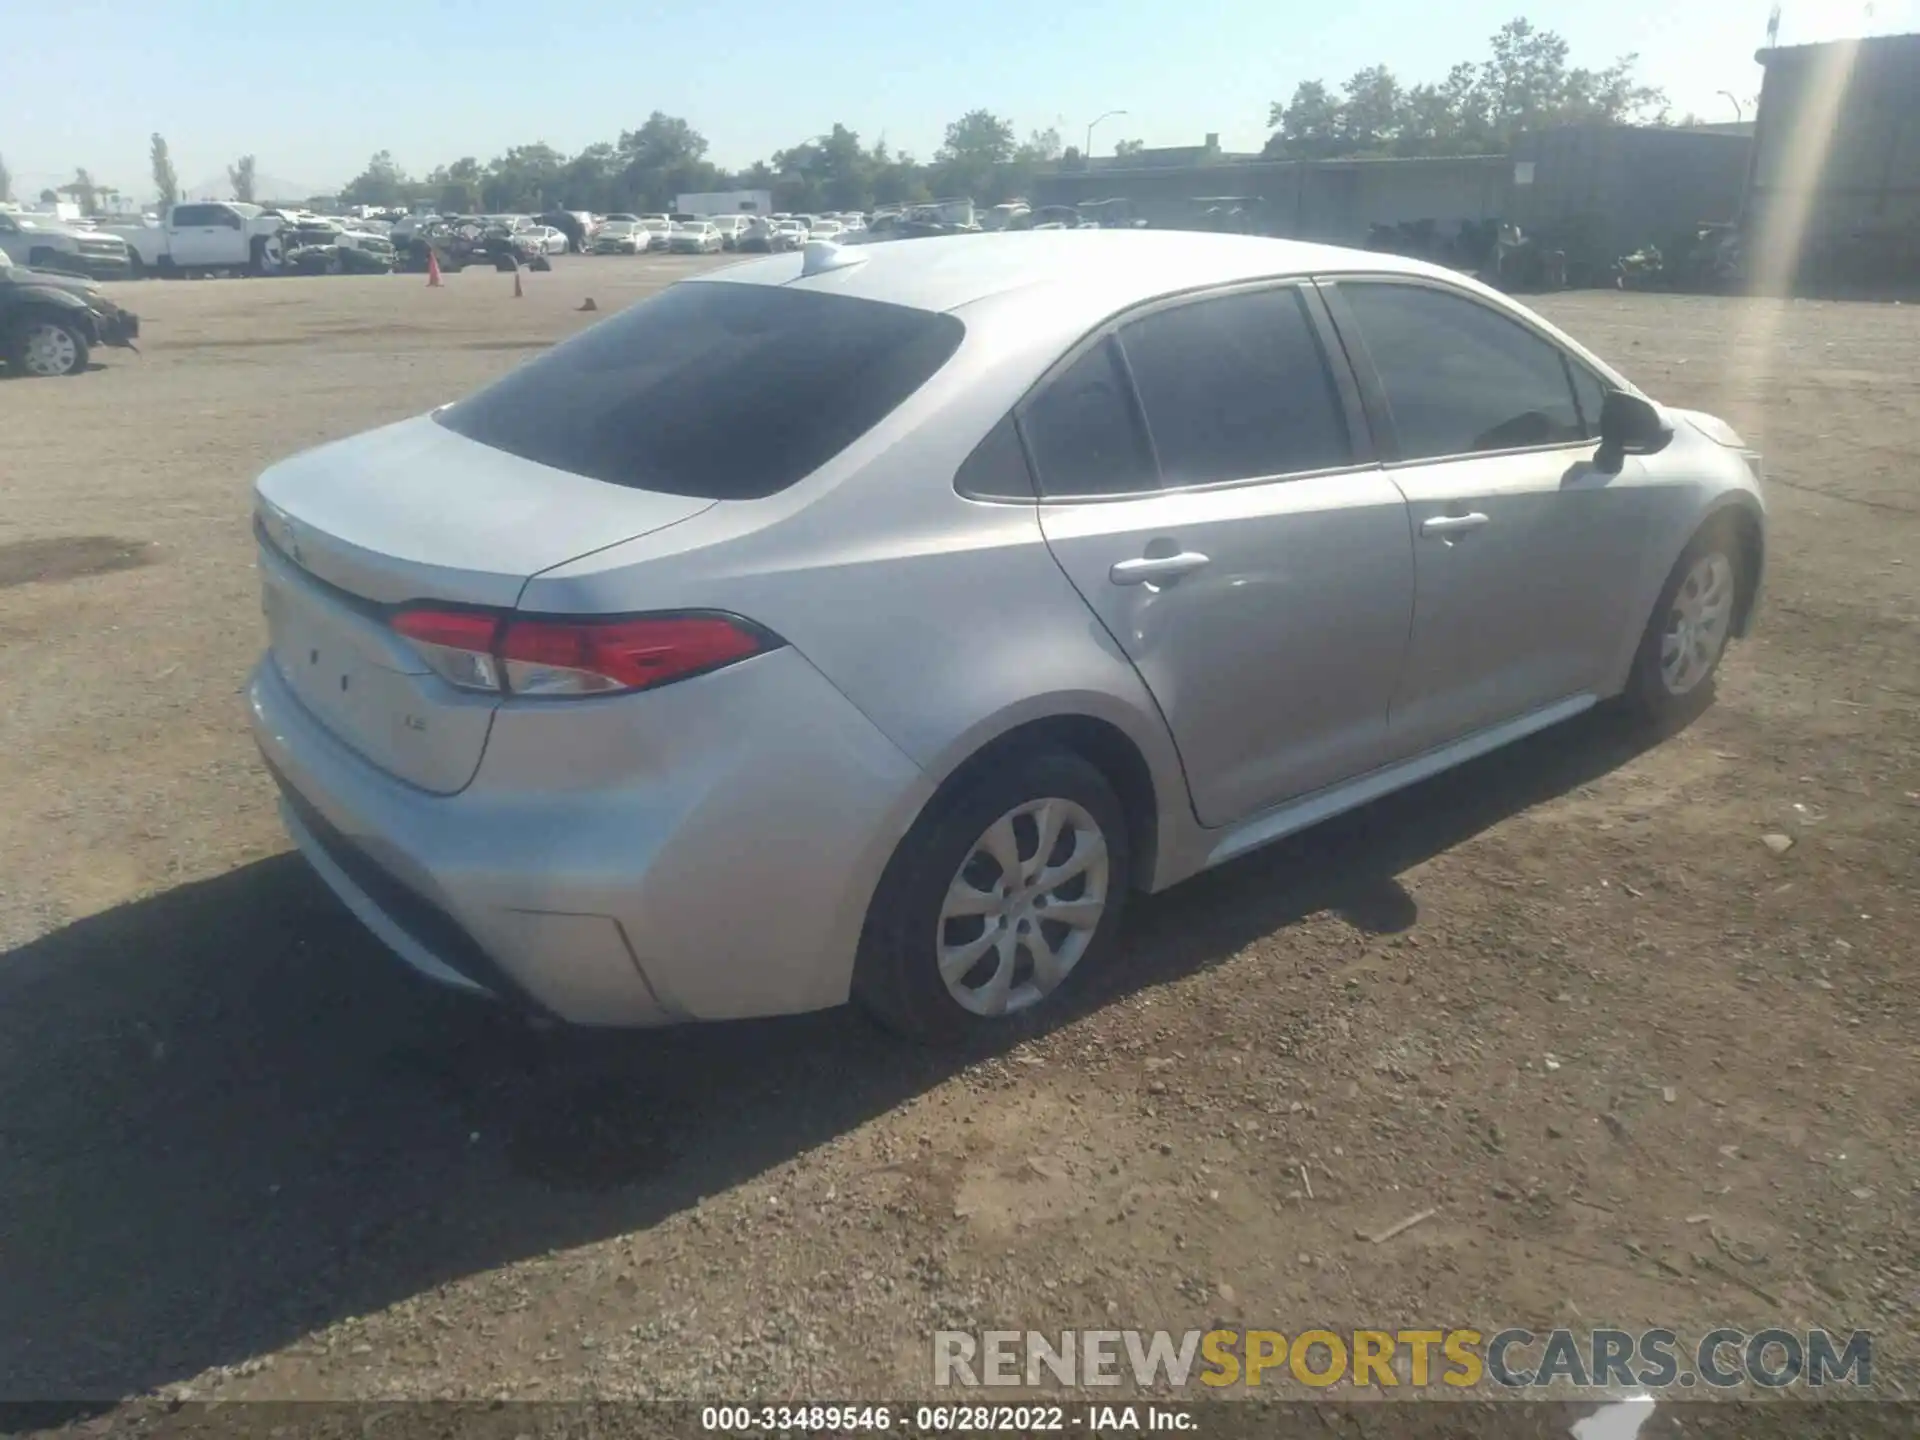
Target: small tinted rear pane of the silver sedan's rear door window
{"points": [[1082, 431]]}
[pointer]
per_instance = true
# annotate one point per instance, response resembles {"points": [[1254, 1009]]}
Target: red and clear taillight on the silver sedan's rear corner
{"points": [[575, 658]]}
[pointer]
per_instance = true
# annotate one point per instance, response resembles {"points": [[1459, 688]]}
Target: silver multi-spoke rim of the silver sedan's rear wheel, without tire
{"points": [[1022, 907]]}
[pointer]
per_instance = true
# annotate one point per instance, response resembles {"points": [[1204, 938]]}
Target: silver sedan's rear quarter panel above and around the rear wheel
{"points": [[946, 621]]}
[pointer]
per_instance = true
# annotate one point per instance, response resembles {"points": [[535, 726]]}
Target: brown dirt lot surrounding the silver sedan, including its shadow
{"points": [[1568, 997]]}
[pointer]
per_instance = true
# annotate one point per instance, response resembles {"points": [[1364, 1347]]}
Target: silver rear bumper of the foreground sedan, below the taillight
{"points": [[700, 853]]}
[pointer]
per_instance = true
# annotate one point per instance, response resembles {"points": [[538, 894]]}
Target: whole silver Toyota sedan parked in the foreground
{"points": [[871, 623]]}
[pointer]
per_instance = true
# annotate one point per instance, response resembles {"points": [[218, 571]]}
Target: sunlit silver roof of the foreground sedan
{"points": [[1122, 268]]}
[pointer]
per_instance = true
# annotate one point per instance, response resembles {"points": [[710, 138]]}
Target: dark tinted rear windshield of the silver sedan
{"points": [[713, 389]]}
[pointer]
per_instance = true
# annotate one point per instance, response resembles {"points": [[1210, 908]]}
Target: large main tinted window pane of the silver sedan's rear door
{"points": [[1236, 389]]}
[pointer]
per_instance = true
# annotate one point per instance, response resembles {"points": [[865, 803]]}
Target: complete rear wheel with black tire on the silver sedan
{"points": [[1001, 898]]}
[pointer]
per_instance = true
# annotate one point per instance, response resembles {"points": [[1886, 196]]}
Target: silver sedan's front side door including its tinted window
{"points": [[1524, 548]]}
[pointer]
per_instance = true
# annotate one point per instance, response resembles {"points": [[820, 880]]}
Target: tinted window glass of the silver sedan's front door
{"points": [[1462, 379]]}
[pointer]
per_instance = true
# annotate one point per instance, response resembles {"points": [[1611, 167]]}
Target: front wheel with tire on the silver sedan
{"points": [[1681, 652]]}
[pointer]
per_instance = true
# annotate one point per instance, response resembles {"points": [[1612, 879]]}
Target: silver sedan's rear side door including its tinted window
{"points": [[1209, 487]]}
